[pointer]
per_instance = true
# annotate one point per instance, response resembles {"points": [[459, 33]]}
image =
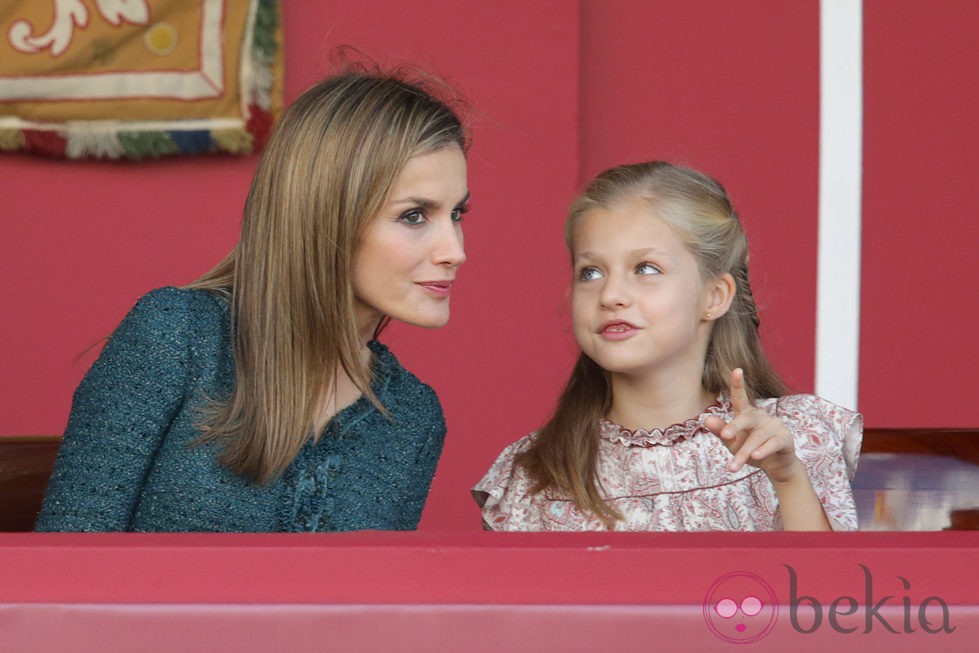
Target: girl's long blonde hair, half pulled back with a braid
{"points": [[564, 455]]}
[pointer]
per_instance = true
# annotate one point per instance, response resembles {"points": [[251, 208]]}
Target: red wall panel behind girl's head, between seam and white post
{"points": [[731, 88]]}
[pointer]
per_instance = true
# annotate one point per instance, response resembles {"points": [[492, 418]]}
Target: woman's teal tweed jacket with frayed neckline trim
{"points": [[128, 460]]}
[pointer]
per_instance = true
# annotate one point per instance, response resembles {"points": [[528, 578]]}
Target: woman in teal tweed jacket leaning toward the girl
{"points": [[258, 397]]}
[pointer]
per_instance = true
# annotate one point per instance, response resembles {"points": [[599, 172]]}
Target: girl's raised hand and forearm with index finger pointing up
{"points": [[756, 438]]}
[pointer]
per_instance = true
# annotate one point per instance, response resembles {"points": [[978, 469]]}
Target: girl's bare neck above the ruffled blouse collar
{"points": [[648, 405]]}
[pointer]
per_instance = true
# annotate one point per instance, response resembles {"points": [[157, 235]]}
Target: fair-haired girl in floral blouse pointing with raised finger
{"points": [[672, 419]]}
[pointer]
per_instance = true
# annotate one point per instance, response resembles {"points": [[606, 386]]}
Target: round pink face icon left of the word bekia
{"points": [[740, 608]]}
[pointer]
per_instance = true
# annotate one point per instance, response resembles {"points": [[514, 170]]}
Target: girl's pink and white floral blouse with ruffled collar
{"points": [[676, 479]]}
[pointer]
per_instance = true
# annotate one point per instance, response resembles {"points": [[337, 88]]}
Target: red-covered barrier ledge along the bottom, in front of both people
{"points": [[489, 591]]}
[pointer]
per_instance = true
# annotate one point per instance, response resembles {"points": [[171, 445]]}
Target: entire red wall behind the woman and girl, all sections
{"points": [[560, 90]]}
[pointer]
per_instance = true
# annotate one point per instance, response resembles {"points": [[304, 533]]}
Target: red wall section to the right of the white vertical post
{"points": [[919, 353]]}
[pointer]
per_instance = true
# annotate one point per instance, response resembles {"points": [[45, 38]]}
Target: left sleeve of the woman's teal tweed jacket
{"points": [[120, 413]]}
